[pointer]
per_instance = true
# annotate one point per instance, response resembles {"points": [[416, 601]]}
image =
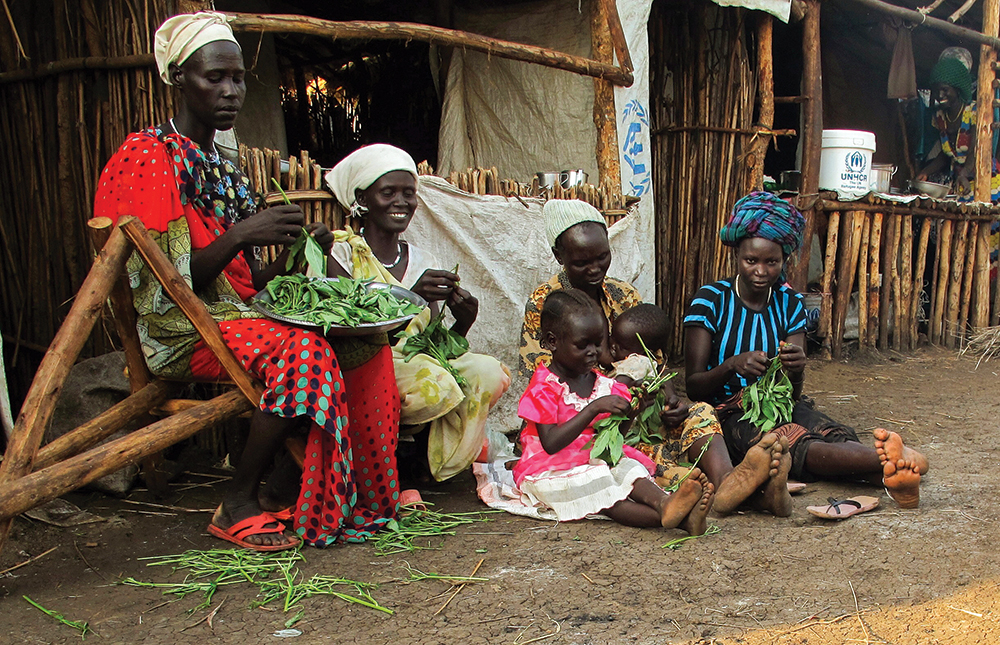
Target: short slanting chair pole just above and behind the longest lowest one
{"points": [[106, 424]]}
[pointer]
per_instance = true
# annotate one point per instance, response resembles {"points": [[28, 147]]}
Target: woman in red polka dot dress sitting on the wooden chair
{"points": [[200, 210]]}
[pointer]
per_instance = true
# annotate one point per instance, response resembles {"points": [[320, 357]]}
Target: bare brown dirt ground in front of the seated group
{"points": [[889, 576]]}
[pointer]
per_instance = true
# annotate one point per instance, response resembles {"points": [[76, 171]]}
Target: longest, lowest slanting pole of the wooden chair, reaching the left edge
{"points": [[37, 488]]}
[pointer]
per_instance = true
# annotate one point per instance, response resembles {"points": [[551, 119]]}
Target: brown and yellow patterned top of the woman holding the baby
{"points": [[617, 297]]}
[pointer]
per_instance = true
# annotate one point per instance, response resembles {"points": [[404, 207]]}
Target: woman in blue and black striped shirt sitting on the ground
{"points": [[735, 326]]}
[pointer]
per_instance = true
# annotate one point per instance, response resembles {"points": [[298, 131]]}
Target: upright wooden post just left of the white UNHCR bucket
{"points": [[812, 132]]}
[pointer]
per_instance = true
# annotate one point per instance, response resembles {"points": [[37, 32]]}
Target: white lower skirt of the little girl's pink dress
{"points": [[583, 490]]}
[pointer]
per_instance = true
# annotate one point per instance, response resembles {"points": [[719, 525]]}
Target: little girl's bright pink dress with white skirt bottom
{"points": [[568, 481]]}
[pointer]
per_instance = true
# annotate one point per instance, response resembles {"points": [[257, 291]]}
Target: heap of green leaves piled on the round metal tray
{"points": [[345, 302]]}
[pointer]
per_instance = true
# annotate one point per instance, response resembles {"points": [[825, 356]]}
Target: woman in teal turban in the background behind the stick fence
{"points": [[955, 120]]}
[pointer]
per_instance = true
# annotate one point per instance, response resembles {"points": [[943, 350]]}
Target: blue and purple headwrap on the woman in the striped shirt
{"points": [[762, 214]]}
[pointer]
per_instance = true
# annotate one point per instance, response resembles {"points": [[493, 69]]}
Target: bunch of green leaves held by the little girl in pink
{"points": [[609, 442]]}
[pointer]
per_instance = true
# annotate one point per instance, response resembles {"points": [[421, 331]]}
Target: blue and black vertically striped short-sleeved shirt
{"points": [[736, 329]]}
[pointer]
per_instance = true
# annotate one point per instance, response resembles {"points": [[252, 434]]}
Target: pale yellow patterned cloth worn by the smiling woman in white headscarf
{"points": [[428, 392]]}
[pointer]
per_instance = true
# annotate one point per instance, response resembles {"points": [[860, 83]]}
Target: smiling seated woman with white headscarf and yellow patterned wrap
{"points": [[378, 185]]}
